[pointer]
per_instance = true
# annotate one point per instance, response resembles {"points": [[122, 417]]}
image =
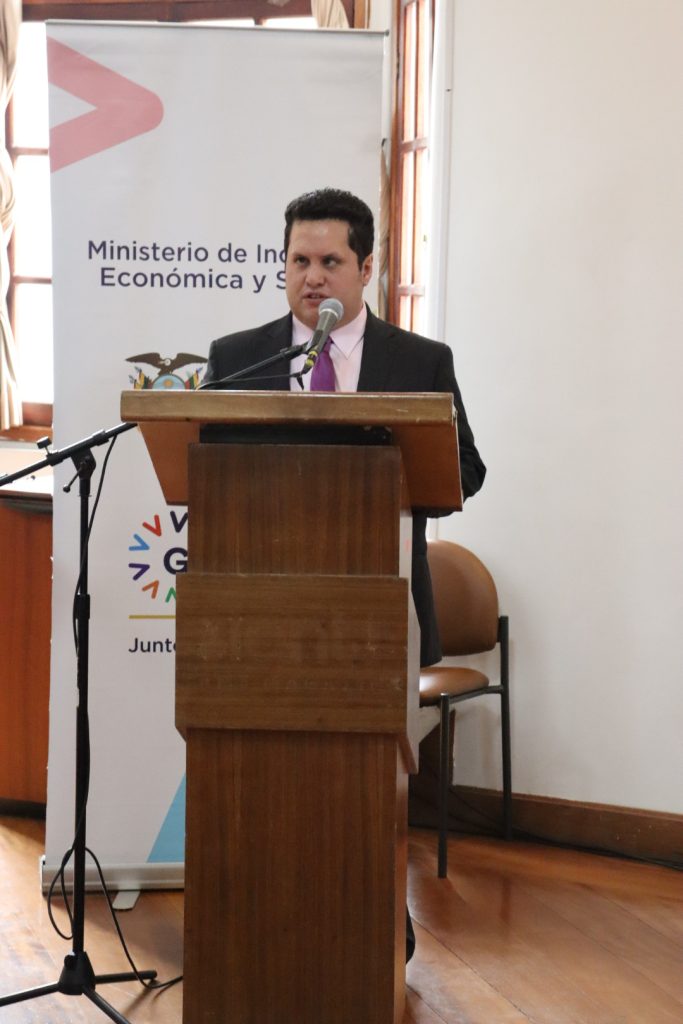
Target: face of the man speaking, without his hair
{"points": [[320, 266]]}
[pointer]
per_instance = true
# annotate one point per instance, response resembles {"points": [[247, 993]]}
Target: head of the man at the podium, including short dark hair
{"points": [[329, 238]]}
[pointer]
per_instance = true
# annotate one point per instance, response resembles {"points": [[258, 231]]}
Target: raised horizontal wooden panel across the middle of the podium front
{"points": [[309, 653]]}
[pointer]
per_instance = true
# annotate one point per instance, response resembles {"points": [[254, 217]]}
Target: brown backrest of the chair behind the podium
{"points": [[465, 600]]}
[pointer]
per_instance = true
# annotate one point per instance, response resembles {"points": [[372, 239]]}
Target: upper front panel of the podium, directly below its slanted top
{"points": [[296, 509]]}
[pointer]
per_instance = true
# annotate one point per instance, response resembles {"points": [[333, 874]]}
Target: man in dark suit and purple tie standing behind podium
{"points": [[329, 240]]}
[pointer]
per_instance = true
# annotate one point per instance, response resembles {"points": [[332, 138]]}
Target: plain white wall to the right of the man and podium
{"points": [[565, 308]]}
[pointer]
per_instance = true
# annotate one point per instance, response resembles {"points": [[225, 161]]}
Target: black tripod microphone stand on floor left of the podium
{"points": [[78, 977]]}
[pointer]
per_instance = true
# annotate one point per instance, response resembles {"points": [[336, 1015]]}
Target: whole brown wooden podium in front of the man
{"points": [[297, 655]]}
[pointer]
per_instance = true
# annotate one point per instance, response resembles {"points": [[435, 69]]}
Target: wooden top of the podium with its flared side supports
{"points": [[423, 425]]}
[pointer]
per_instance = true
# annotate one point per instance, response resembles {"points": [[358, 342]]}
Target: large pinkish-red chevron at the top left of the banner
{"points": [[123, 109]]}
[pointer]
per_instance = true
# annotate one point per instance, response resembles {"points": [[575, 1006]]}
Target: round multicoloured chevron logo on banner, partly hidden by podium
{"points": [[158, 553]]}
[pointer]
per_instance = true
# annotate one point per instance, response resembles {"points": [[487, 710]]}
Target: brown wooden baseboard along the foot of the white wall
{"points": [[624, 831]]}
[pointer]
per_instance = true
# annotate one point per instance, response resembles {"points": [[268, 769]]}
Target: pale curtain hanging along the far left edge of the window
{"points": [[11, 405]]}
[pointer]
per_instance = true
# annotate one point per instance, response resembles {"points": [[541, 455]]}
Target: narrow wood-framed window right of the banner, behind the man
{"points": [[407, 294]]}
